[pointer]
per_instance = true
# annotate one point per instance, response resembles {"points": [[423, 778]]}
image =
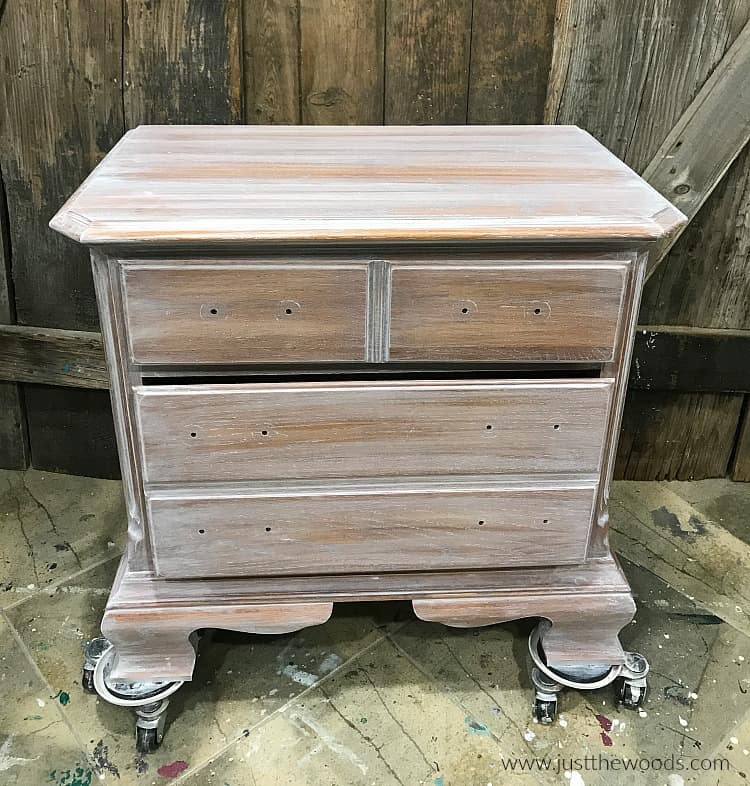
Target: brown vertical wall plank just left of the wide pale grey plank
{"points": [[511, 50]]}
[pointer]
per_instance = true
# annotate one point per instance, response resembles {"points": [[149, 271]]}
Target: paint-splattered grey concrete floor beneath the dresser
{"points": [[375, 696]]}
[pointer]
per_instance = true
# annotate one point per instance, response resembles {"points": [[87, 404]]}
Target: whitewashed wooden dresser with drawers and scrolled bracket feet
{"points": [[365, 363]]}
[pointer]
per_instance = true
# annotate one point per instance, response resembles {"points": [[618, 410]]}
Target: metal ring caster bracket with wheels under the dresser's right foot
{"points": [[629, 679]]}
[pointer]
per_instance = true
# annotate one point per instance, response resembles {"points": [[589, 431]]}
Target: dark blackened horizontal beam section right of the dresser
{"points": [[687, 359]]}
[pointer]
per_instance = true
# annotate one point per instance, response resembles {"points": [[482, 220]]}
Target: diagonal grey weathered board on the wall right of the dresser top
{"points": [[705, 141]]}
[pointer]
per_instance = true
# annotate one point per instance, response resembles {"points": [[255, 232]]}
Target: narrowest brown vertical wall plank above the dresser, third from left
{"points": [[271, 61]]}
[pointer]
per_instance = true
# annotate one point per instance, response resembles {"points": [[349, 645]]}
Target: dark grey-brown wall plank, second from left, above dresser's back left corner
{"points": [[182, 62]]}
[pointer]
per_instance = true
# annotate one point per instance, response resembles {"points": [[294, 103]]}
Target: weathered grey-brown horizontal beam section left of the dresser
{"points": [[73, 358]]}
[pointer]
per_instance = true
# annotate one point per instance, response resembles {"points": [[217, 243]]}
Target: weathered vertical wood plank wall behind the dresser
{"points": [[75, 74]]}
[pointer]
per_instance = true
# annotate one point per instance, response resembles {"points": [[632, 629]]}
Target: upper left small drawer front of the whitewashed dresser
{"points": [[262, 313]]}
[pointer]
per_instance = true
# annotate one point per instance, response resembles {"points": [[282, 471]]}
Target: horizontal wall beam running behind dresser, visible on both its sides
{"points": [[683, 359]]}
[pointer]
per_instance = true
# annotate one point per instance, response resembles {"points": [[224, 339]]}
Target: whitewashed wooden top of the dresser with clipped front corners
{"points": [[165, 184]]}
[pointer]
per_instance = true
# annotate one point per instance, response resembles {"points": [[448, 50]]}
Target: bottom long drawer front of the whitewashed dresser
{"points": [[361, 531]]}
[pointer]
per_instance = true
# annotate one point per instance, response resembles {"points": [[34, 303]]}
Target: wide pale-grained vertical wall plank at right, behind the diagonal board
{"points": [[626, 73]]}
